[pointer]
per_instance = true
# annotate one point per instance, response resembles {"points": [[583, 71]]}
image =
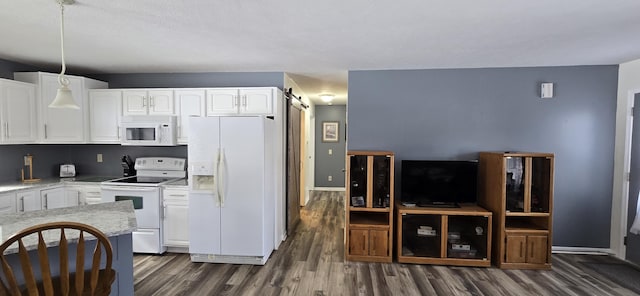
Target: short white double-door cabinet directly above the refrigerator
{"points": [[234, 101]]}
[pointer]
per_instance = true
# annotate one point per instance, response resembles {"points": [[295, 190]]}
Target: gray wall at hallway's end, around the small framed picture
{"points": [[330, 165]]}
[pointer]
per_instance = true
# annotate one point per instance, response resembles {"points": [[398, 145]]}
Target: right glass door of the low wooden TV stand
{"points": [[467, 237]]}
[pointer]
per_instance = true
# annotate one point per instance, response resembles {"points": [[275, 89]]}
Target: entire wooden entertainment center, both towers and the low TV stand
{"points": [[510, 225]]}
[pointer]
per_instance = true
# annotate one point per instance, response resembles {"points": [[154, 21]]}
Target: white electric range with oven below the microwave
{"points": [[145, 192]]}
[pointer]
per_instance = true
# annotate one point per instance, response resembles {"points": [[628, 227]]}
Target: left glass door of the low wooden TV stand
{"points": [[421, 235]]}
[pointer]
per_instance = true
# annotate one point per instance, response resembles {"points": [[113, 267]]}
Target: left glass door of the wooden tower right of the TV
{"points": [[515, 184]]}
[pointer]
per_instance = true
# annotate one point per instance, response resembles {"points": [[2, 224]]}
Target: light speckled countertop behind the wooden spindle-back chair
{"points": [[115, 218]]}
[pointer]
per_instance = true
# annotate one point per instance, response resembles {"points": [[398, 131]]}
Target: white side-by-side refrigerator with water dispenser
{"points": [[231, 189]]}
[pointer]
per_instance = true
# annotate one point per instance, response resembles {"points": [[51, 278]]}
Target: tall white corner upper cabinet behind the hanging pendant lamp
{"points": [[61, 125]]}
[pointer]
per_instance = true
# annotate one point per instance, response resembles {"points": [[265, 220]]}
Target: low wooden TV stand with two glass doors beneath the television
{"points": [[438, 248]]}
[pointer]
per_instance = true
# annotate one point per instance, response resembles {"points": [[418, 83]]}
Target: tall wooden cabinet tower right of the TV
{"points": [[518, 189]]}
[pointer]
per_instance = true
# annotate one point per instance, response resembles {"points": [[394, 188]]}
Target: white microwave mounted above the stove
{"points": [[148, 130]]}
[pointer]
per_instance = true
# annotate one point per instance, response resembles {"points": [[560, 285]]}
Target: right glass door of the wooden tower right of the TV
{"points": [[540, 184]]}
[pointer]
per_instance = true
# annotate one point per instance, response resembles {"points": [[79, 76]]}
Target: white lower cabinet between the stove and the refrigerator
{"points": [[176, 218]]}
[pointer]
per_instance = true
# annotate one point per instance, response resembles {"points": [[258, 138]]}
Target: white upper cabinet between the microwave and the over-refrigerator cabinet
{"points": [[189, 102]]}
